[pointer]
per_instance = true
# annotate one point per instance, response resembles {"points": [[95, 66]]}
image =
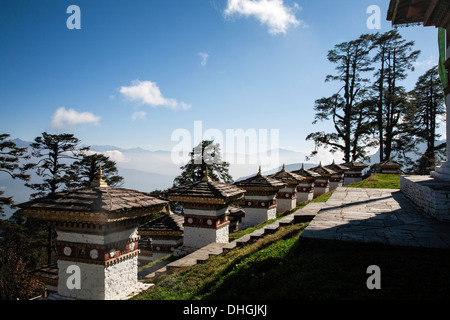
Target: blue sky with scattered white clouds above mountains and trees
{"points": [[139, 69]]}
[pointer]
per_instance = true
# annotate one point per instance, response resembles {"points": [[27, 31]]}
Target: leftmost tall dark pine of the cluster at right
{"points": [[346, 109]]}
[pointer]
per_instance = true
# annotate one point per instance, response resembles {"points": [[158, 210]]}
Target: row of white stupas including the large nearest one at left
{"points": [[98, 227]]}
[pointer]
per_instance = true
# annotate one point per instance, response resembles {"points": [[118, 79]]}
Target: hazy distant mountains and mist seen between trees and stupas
{"points": [[146, 170]]}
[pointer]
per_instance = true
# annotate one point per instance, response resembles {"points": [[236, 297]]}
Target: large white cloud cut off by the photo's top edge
{"points": [[278, 17]]}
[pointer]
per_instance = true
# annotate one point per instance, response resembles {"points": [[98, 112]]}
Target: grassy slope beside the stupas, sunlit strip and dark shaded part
{"points": [[284, 266]]}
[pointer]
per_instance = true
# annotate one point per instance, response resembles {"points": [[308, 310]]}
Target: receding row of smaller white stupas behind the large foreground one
{"points": [[258, 199]]}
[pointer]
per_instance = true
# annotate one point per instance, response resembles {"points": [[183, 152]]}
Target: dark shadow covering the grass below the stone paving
{"points": [[334, 270]]}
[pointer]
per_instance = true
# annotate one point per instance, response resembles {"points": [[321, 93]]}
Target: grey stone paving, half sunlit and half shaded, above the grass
{"points": [[377, 215]]}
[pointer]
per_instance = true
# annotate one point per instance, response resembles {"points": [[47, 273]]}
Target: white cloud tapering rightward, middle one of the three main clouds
{"points": [[147, 92]]}
